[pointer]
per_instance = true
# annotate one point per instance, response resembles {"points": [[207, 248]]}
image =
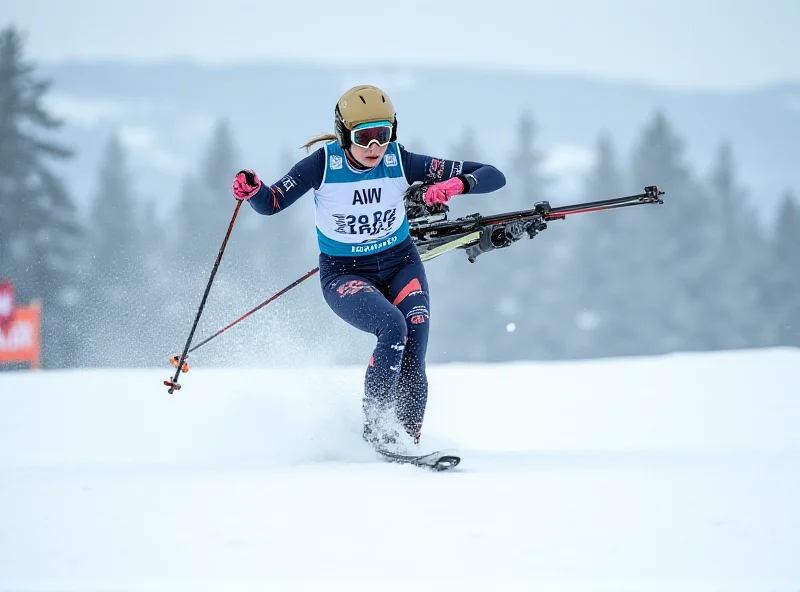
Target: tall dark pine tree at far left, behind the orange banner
{"points": [[39, 229]]}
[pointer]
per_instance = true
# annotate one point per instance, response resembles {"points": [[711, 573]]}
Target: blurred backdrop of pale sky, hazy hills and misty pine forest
{"points": [[123, 124]]}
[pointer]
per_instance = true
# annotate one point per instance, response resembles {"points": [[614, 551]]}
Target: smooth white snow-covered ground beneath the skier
{"points": [[670, 473]]}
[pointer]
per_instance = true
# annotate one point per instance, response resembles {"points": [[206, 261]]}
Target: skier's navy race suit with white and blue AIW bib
{"points": [[370, 271]]}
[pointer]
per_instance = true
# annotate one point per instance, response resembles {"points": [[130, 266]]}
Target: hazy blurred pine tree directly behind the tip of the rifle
{"points": [[670, 247]]}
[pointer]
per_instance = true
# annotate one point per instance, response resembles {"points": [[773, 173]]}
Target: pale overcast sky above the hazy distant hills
{"points": [[719, 44]]}
